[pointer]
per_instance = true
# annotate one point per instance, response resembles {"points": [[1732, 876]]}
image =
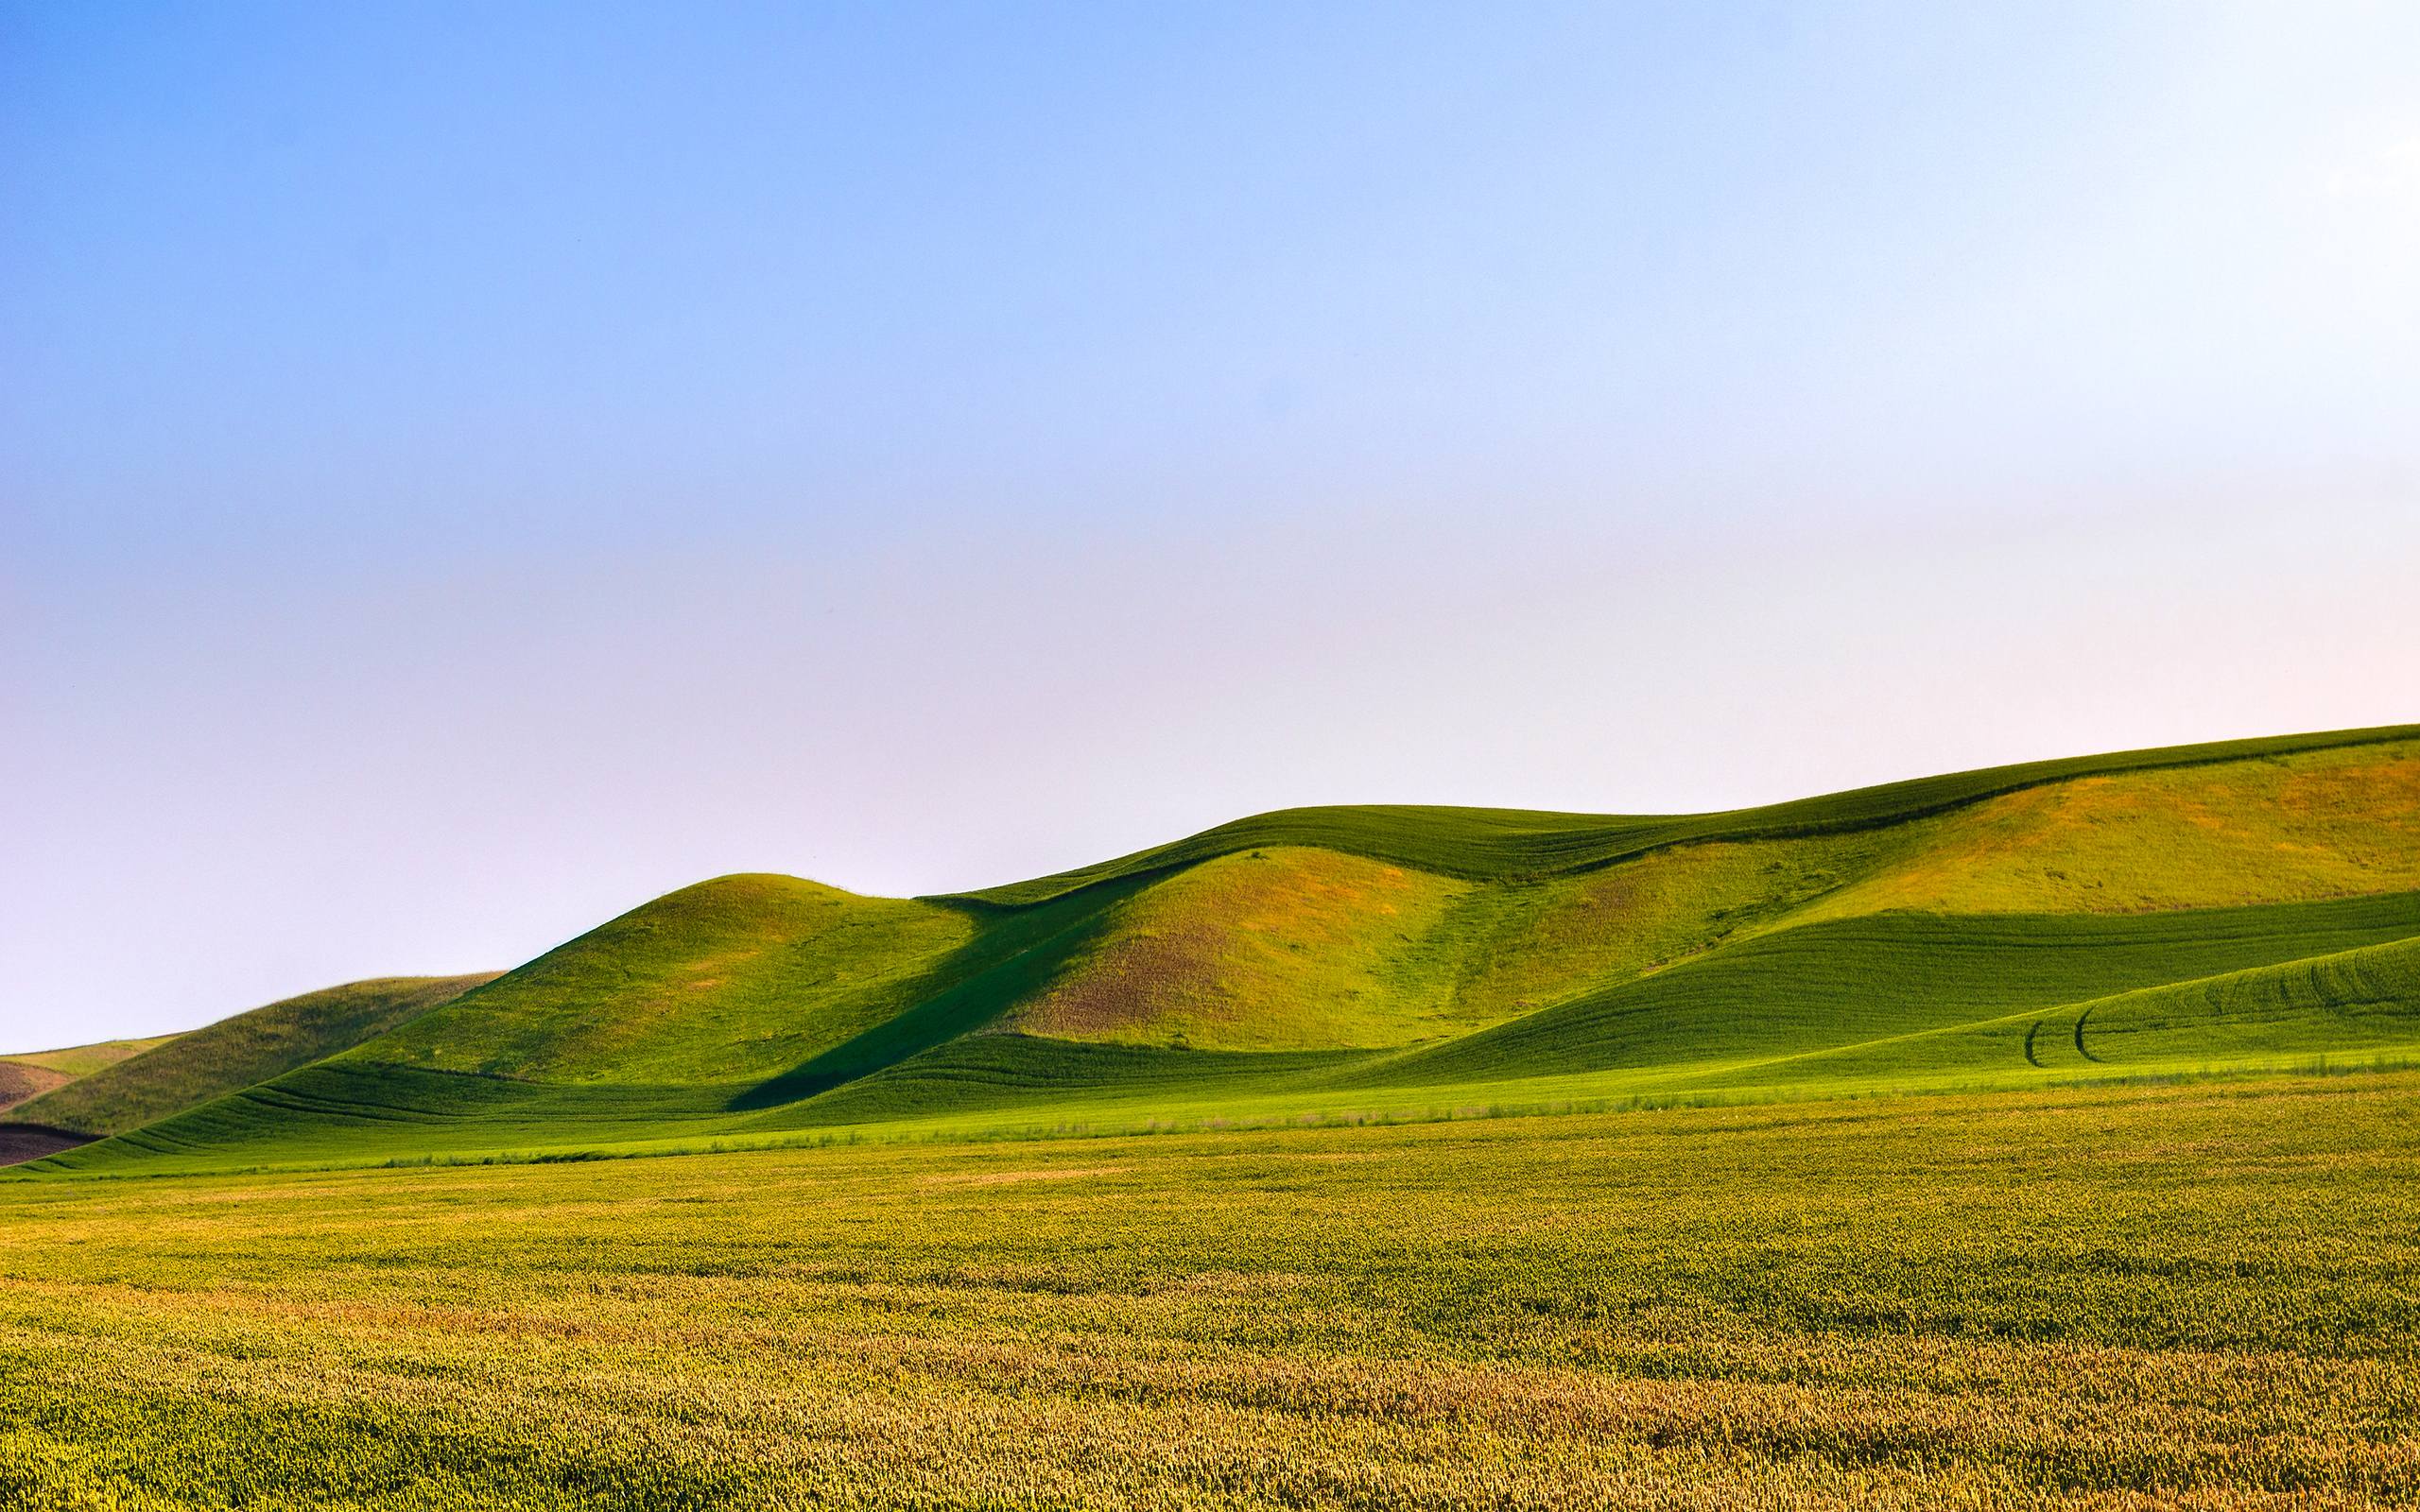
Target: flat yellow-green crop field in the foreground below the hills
{"points": [[2199, 1295]]}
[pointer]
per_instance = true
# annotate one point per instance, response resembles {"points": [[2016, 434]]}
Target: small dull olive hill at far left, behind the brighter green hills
{"points": [[234, 1054]]}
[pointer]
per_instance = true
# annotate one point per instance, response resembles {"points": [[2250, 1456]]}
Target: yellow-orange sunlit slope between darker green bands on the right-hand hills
{"points": [[1320, 950]]}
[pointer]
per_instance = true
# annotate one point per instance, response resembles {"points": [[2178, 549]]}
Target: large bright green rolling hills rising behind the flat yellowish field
{"points": [[2213, 908]]}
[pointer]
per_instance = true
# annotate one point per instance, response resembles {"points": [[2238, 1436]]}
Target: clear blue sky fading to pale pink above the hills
{"points": [[473, 468]]}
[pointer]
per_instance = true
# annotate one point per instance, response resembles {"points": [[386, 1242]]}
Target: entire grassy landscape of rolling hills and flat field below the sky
{"points": [[2029, 1138]]}
